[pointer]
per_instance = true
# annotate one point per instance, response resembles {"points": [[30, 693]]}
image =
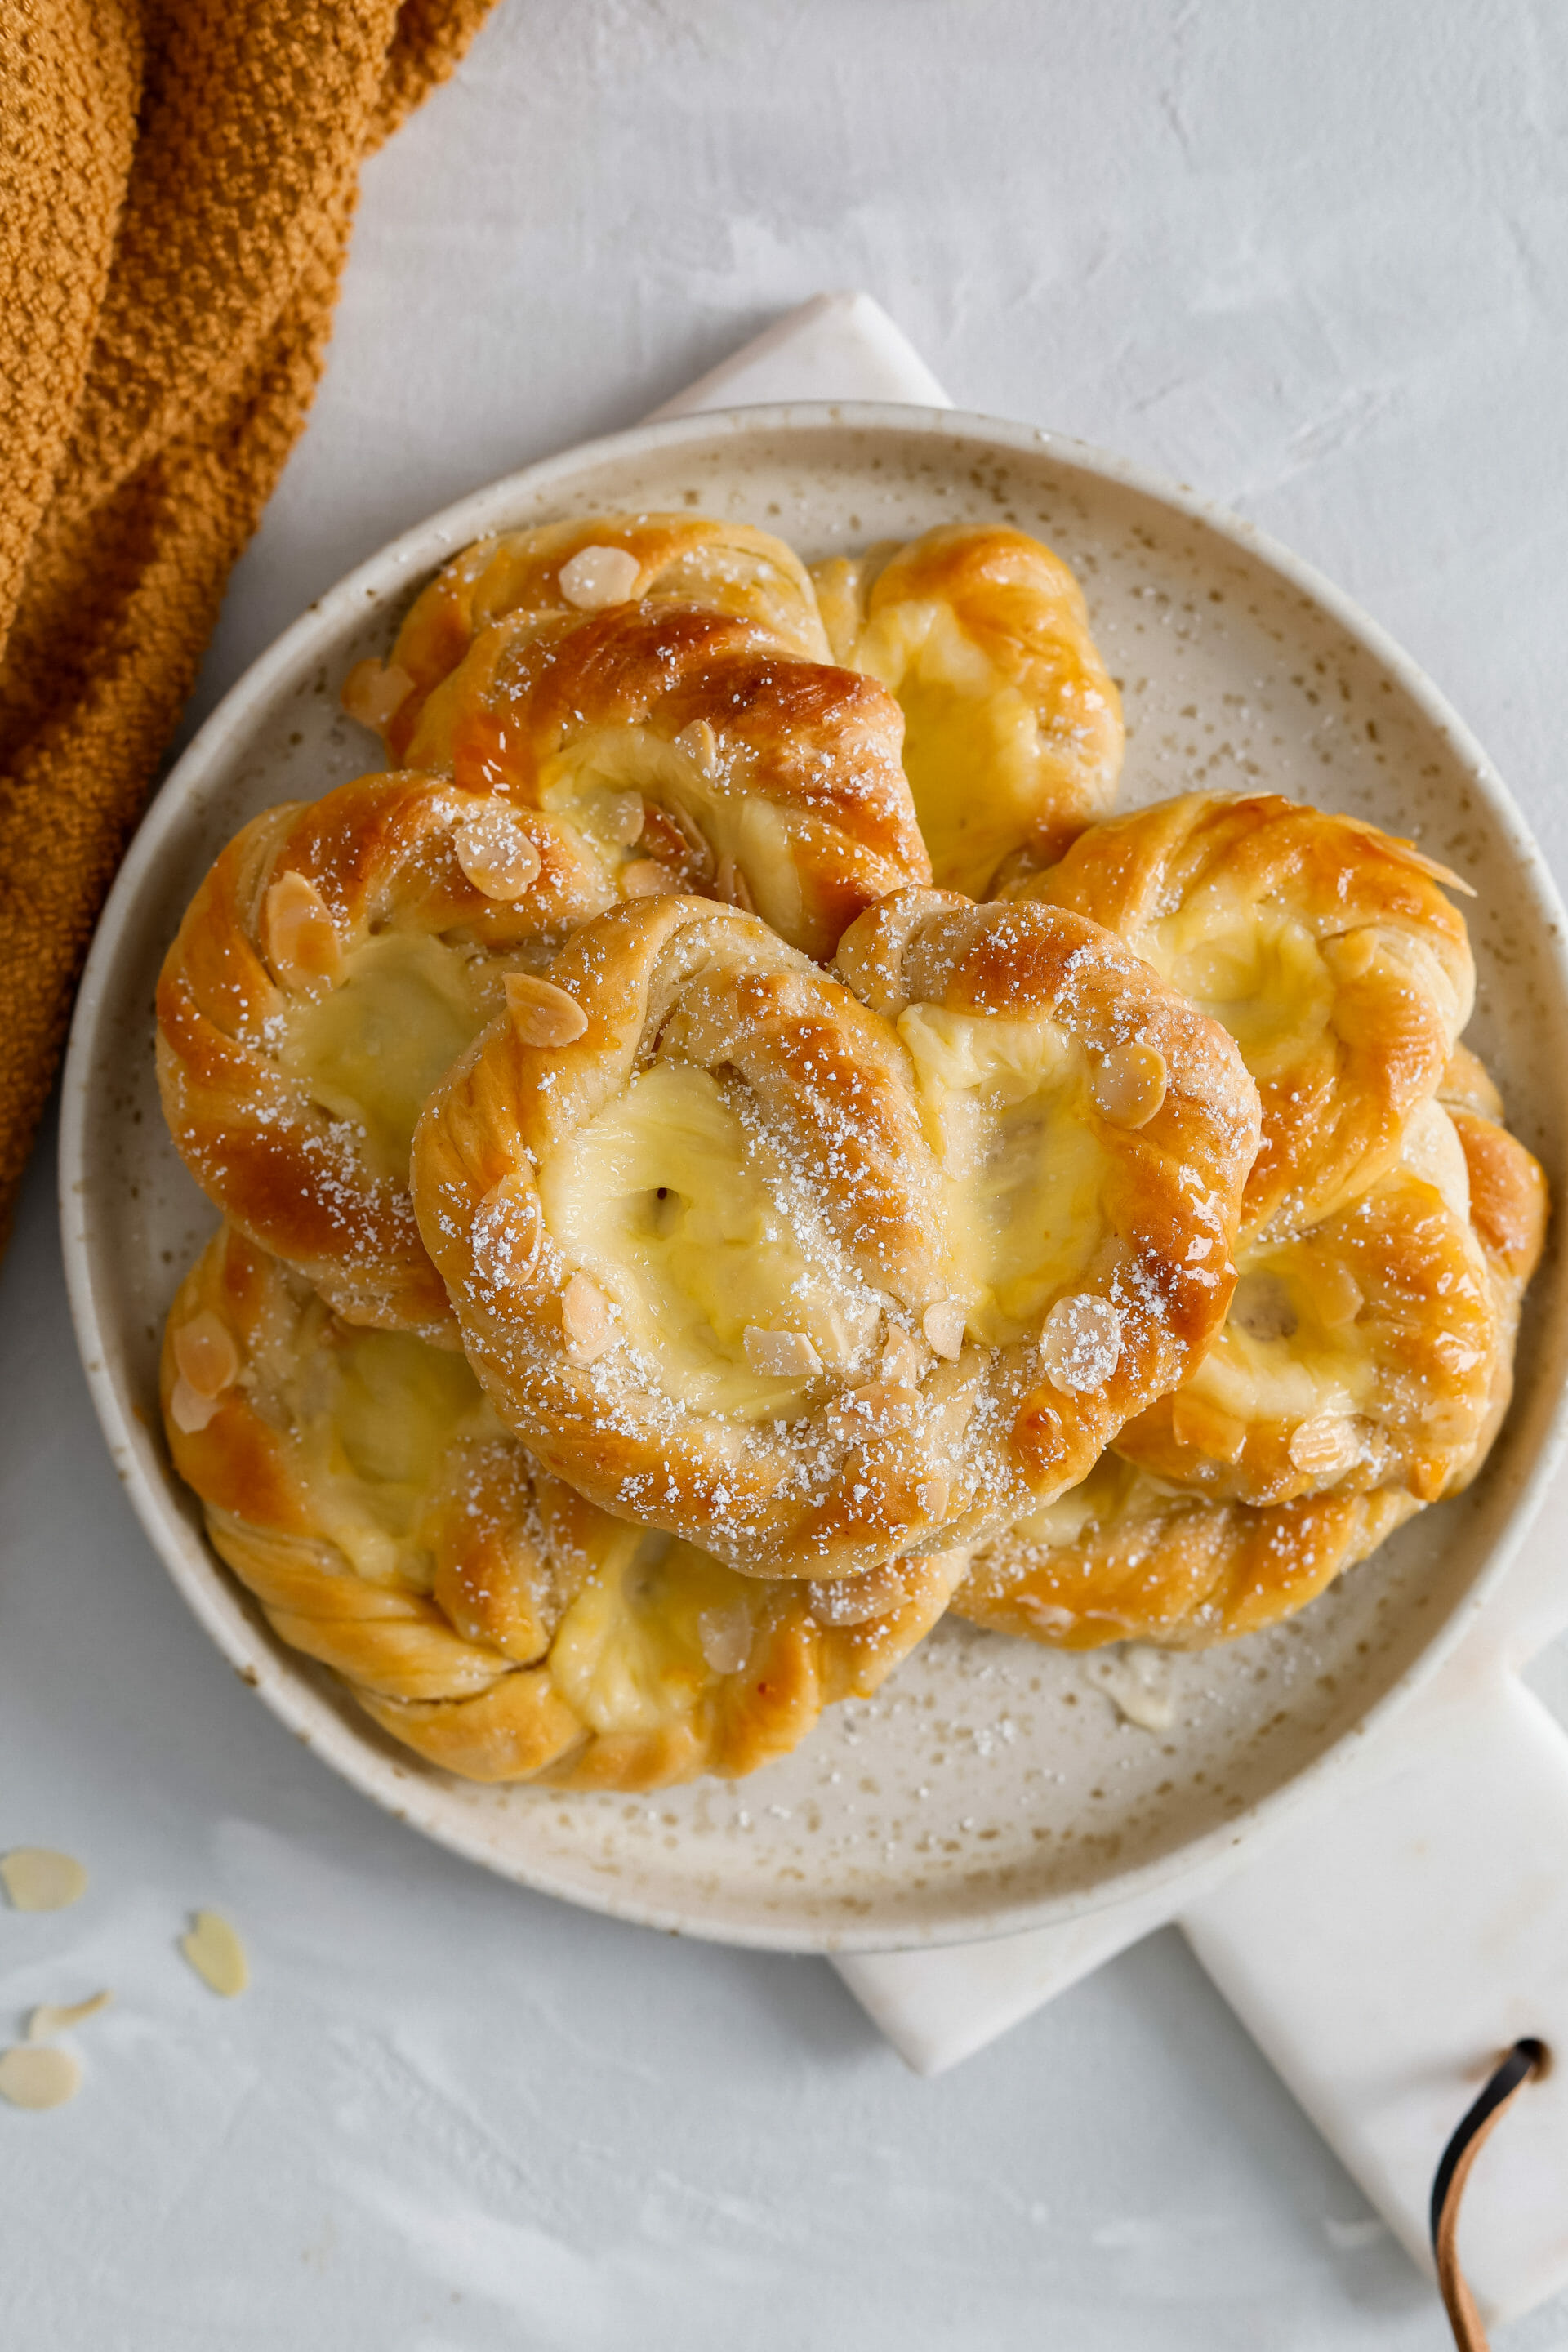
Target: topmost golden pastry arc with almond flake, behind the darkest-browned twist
{"points": [[591, 566]]}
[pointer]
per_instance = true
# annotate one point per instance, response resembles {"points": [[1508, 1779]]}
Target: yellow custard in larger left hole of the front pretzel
{"points": [[685, 1222]]}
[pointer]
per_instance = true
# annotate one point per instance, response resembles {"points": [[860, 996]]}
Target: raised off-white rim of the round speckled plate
{"points": [[199, 1577]]}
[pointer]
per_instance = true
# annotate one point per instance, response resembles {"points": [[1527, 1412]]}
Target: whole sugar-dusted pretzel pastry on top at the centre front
{"points": [[704, 1245]]}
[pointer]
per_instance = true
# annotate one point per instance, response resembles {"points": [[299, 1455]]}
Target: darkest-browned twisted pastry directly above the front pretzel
{"points": [[697, 754]]}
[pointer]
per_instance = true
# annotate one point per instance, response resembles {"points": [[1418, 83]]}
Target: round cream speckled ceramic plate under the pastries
{"points": [[993, 1784]]}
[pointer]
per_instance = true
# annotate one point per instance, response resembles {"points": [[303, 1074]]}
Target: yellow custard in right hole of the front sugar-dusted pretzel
{"points": [[1024, 1170]]}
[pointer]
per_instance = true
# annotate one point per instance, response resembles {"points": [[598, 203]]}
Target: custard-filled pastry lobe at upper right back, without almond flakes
{"points": [[1014, 723]]}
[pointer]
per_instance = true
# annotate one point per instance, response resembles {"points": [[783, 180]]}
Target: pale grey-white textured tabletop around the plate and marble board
{"points": [[1311, 260]]}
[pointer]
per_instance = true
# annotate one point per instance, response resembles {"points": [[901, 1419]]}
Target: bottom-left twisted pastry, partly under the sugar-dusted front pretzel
{"points": [[478, 1610]]}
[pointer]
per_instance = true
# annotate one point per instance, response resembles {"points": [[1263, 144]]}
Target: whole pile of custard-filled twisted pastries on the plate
{"points": [[728, 1151]]}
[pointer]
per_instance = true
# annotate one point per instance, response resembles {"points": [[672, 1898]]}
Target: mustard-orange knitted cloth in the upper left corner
{"points": [[177, 180]]}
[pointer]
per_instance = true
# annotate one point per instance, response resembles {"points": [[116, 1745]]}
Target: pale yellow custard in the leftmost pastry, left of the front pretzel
{"points": [[375, 1048]]}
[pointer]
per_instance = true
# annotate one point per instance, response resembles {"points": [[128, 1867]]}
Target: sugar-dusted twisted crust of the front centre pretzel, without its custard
{"points": [[864, 1457]]}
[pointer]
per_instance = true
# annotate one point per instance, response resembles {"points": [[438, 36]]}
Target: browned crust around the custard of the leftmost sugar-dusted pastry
{"points": [[375, 864]]}
